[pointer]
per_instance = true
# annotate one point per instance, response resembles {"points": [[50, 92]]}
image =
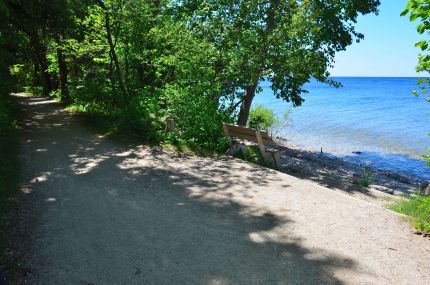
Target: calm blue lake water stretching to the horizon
{"points": [[378, 117]]}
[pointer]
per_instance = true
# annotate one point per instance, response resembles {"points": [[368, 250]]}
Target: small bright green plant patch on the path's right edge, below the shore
{"points": [[418, 208]]}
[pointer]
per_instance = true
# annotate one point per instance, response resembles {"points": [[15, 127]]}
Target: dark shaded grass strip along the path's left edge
{"points": [[9, 178]]}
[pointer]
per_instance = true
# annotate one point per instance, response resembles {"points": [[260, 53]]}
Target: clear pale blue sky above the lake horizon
{"points": [[388, 45]]}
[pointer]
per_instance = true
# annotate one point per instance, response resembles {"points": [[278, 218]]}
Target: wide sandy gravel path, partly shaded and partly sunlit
{"points": [[101, 213]]}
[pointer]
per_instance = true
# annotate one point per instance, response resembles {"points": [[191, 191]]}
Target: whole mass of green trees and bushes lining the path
{"points": [[201, 62]]}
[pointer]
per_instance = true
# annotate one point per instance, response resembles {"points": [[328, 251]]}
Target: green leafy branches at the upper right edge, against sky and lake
{"points": [[419, 10]]}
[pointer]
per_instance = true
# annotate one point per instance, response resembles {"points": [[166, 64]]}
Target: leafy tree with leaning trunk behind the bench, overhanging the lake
{"points": [[284, 42]]}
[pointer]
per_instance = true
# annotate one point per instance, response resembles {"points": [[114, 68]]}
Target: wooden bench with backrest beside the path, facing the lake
{"points": [[262, 138]]}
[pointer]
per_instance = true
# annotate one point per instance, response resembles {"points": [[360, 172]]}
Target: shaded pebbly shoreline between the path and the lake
{"points": [[338, 174]]}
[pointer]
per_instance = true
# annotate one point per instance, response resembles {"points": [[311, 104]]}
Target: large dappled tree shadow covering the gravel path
{"points": [[109, 214]]}
